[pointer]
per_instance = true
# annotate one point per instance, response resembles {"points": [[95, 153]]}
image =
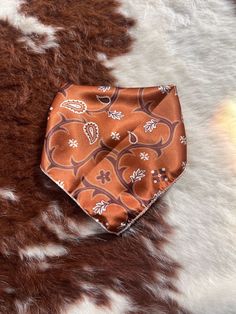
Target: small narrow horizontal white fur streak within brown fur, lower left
{"points": [[40, 252]]}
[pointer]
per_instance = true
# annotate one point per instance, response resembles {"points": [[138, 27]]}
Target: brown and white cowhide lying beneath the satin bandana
{"points": [[180, 257]]}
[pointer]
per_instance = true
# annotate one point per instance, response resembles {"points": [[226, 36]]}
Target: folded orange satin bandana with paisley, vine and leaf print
{"points": [[114, 150]]}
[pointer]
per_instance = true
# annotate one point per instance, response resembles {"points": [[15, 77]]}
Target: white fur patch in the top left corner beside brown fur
{"points": [[10, 12]]}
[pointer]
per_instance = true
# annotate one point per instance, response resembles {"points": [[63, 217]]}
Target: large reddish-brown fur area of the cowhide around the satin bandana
{"points": [[28, 84]]}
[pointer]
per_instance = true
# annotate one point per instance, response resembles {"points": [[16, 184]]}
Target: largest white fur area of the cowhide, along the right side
{"points": [[192, 44]]}
